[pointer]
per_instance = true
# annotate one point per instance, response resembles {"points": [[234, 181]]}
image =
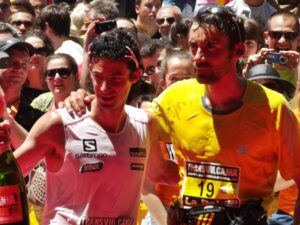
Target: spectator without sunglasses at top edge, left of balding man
{"points": [[146, 14]]}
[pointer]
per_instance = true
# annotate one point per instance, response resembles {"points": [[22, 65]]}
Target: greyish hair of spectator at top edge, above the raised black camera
{"points": [[103, 8]]}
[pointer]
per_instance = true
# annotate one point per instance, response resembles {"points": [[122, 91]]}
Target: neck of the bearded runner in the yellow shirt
{"points": [[226, 94]]}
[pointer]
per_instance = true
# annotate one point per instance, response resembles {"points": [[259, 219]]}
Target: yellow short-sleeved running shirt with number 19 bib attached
{"points": [[234, 154]]}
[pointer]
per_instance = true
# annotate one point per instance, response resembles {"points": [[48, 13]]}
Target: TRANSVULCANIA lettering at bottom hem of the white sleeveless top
{"points": [[106, 221]]}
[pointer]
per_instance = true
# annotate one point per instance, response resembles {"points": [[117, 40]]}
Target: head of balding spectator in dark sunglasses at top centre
{"points": [[165, 17]]}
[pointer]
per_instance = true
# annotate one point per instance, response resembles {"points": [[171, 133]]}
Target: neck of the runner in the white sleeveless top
{"points": [[111, 120]]}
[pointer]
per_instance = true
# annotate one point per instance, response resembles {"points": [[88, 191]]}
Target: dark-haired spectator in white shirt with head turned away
{"points": [[55, 23]]}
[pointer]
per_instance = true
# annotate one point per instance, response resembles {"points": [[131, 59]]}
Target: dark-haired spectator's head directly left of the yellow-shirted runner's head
{"points": [[179, 33]]}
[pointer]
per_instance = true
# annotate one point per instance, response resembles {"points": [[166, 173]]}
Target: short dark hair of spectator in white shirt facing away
{"points": [[57, 18]]}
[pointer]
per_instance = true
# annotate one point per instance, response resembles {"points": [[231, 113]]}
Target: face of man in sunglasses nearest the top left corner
{"points": [[22, 21]]}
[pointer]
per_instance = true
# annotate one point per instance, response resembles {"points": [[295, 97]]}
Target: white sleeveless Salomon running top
{"points": [[101, 177]]}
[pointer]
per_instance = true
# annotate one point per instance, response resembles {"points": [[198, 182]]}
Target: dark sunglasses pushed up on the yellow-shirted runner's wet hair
{"points": [[226, 14]]}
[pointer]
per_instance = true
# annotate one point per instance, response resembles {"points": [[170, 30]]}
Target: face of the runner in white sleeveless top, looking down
{"points": [[111, 82]]}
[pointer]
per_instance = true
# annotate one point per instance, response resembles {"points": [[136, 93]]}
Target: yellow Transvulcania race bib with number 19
{"points": [[210, 184]]}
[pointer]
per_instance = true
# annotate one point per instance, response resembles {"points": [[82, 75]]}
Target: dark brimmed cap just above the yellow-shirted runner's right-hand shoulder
{"points": [[266, 71]]}
